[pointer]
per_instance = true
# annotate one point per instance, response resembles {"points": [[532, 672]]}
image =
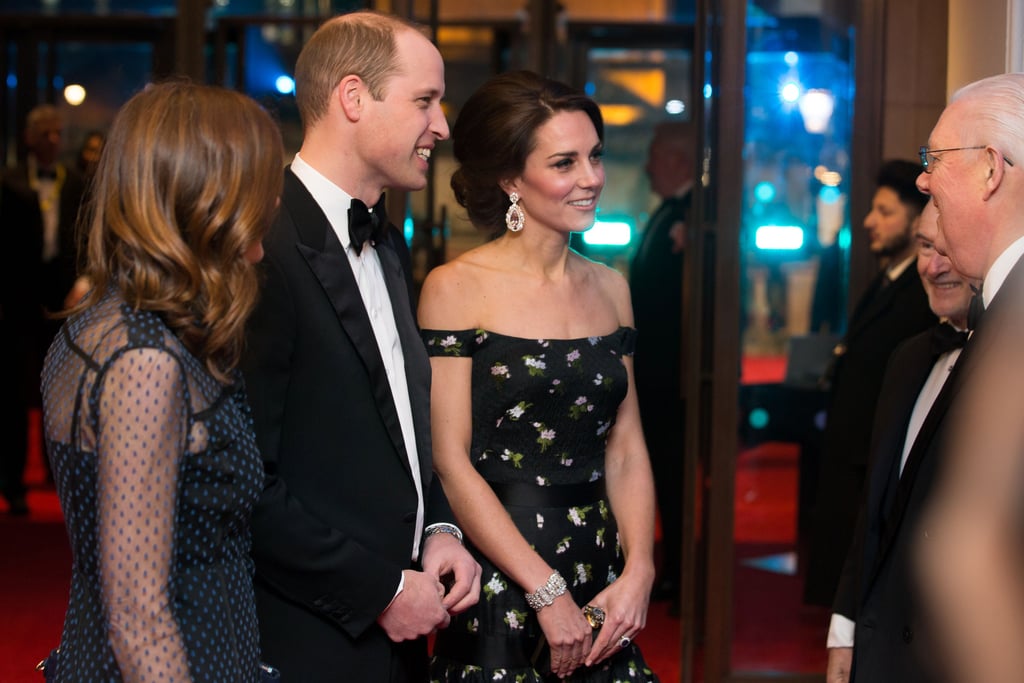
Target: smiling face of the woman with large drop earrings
{"points": [[564, 176]]}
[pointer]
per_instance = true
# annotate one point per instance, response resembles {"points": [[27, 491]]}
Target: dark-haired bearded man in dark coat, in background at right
{"points": [[893, 309]]}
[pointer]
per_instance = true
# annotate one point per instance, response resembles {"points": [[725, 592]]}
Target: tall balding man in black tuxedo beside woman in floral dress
{"points": [[356, 558]]}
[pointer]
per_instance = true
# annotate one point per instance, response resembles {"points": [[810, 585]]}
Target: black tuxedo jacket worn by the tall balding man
{"points": [[335, 526]]}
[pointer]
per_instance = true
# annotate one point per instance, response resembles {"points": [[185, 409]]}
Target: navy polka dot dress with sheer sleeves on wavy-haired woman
{"points": [[157, 469]]}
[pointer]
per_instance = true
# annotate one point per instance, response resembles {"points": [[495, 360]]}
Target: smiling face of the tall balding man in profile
{"points": [[403, 129]]}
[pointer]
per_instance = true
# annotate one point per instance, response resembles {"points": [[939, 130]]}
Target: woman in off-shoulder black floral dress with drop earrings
{"points": [[536, 428]]}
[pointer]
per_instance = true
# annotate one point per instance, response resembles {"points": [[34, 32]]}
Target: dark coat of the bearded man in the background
{"points": [[880, 322]]}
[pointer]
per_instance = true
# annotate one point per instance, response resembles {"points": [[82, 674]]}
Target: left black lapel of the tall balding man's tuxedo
{"points": [[327, 260]]}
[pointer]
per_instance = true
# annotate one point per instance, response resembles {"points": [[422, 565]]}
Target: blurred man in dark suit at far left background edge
{"points": [[39, 202]]}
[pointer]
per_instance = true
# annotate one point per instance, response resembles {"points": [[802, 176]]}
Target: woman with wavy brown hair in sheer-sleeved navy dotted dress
{"points": [[146, 420]]}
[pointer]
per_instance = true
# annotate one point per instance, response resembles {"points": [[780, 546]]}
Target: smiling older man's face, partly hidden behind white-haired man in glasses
{"points": [[949, 291]]}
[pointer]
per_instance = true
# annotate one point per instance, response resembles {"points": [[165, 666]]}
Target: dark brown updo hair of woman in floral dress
{"points": [[496, 132]]}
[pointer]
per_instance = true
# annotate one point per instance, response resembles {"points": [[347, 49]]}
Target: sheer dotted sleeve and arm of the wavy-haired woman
{"points": [[144, 418]]}
